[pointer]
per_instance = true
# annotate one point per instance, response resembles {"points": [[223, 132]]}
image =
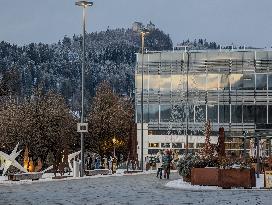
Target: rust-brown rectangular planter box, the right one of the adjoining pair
{"points": [[237, 178]]}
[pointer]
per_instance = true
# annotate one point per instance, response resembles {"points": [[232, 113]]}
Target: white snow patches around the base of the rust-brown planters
{"points": [[180, 184]]}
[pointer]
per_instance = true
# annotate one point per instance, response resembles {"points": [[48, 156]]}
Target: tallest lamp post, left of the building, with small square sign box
{"points": [[84, 5]]}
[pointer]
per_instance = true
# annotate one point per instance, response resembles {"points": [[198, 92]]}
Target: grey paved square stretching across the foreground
{"points": [[136, 189]]}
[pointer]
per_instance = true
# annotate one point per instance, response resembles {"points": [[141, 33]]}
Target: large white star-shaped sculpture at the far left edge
{"points": [[10, 160]]}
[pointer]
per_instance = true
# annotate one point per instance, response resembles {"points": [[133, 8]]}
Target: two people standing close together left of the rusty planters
{"points": [[164, 161]]}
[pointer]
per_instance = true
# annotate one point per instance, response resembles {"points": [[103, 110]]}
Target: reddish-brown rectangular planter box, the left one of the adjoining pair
{"points": [[205, 176]]}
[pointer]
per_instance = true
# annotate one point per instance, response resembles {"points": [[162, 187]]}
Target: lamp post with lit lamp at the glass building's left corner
{"points": [[143, 34]]}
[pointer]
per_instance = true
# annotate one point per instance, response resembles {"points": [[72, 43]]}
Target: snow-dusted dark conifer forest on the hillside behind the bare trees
{"points": [[110, 56]]}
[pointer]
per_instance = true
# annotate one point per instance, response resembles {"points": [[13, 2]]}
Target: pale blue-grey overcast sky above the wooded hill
{"points": [[242, 22]]}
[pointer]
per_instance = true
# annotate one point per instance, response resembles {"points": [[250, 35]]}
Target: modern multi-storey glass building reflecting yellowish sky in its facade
{"points": [[183, 90]]}
